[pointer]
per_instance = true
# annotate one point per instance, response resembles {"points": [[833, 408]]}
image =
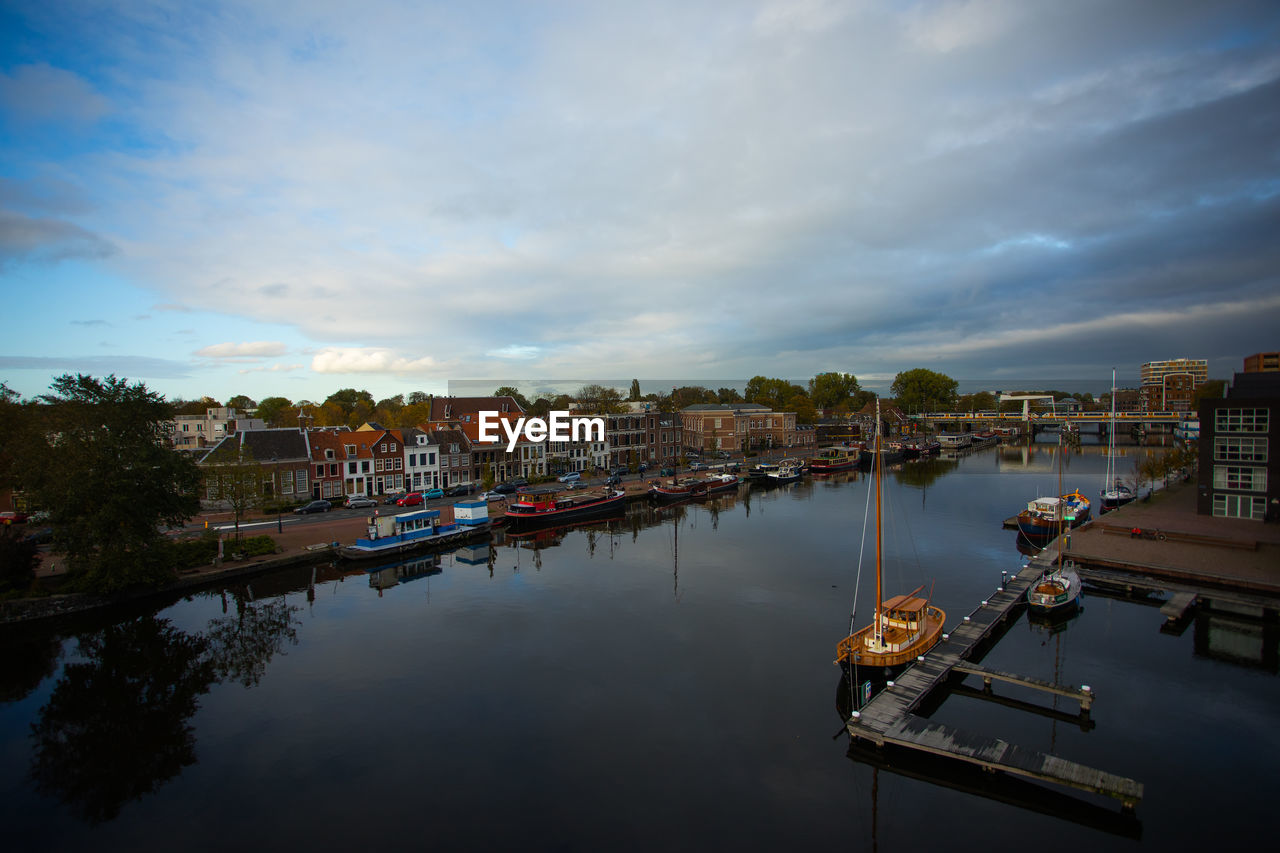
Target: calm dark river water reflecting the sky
{"points": [[662, 683]]}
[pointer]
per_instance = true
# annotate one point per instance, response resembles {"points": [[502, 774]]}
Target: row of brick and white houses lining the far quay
{"points": [[446, 450]]}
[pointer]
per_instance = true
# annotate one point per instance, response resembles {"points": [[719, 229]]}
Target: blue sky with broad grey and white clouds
{"points": [[292, 198]]}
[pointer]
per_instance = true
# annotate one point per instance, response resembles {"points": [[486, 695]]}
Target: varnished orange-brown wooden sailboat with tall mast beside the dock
{"points": [[906, 627]]}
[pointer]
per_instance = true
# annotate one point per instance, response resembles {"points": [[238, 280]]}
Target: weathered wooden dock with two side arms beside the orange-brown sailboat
{"points": [[890, 719]]}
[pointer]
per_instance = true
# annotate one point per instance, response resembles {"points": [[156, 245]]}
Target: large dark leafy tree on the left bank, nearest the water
{"points": [[102, 466]]}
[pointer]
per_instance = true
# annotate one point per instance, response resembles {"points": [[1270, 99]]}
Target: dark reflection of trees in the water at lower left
{"points": [[116, 727]]}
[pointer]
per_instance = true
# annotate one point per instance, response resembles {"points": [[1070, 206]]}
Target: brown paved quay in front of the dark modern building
{"points": [[1177, 544]]}
